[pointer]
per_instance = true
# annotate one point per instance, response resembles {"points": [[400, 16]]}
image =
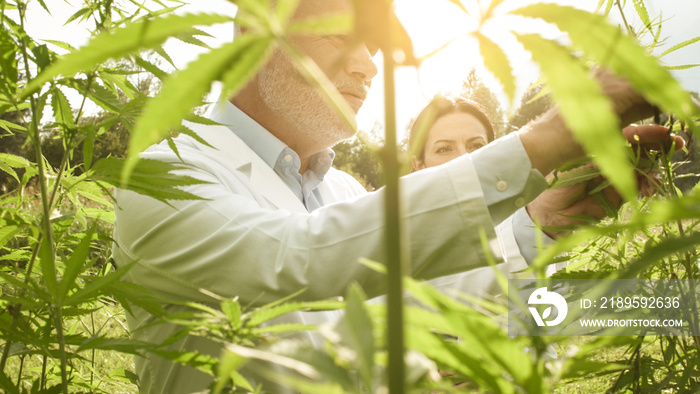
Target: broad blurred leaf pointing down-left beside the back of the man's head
{"points": [[184, 90]]}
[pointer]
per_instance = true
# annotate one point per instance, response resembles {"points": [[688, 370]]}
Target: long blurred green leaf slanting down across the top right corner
{"points": [[620, 53]]}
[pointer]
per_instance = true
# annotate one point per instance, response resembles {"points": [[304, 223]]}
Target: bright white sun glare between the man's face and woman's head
{"points": [[444, 35]]}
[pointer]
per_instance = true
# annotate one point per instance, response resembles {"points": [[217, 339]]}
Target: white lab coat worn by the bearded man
{"points": [[253, 239]]}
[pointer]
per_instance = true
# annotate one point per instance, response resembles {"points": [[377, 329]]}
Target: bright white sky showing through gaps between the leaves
{"points": [[431, 23]]}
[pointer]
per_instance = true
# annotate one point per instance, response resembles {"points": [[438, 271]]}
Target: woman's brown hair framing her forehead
{"points": [[438, 107]]}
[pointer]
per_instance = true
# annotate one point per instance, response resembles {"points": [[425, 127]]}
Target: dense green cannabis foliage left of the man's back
{"points": [[57, 287]]}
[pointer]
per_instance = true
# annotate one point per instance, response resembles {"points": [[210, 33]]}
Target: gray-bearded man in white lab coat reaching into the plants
{"points": [[277, 219]]}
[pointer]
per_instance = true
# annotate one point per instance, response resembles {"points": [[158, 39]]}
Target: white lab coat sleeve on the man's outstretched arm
{"points": [[233, 244]]}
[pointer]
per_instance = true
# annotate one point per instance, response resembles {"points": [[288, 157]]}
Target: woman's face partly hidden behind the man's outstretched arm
{"points": [[451, 136]]}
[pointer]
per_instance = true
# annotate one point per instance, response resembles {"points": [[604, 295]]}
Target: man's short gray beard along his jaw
{"points": [[285, 91]]}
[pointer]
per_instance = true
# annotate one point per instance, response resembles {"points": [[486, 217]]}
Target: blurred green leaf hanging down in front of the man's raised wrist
{"points": [[586, 110]]}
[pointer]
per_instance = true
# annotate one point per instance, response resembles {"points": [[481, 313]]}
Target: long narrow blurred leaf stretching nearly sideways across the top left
{"points": [[148, 33]]}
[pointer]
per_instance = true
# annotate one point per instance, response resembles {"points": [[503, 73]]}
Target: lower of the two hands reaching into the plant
{"points": [[565, 206]]}
